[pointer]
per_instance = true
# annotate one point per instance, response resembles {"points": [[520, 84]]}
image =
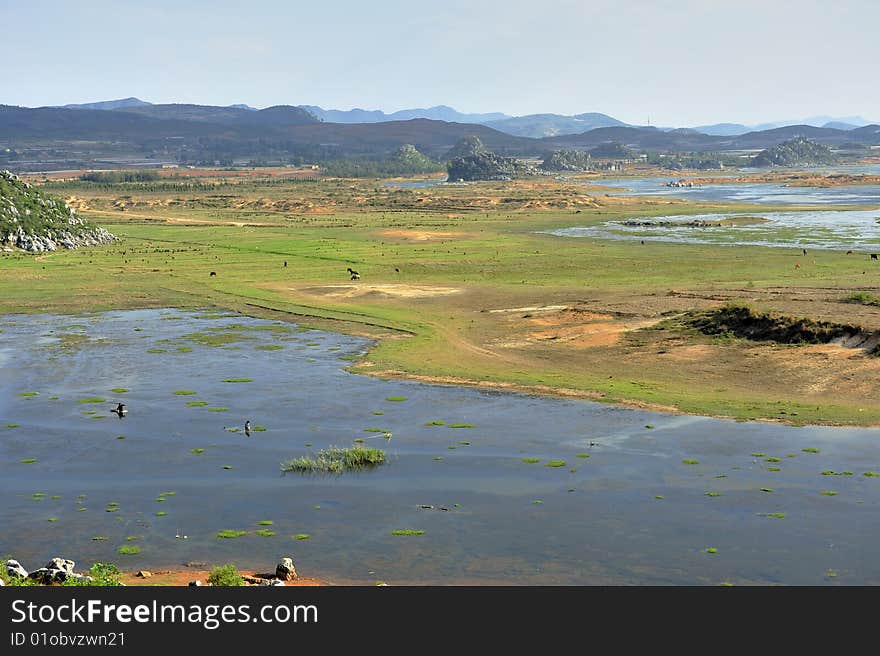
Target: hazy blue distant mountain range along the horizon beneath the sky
{"points": [[205, 133]]}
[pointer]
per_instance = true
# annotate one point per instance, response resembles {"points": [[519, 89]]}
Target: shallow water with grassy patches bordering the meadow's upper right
{"points": [[826, 229]]}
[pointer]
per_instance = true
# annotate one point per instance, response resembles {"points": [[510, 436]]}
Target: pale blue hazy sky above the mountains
{"points": [[673, 63]]}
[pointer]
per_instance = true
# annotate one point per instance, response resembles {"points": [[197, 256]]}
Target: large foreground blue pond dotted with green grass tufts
{"points": [[519, 489]]}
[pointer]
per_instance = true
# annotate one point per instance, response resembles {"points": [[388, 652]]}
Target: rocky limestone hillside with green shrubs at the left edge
{"points": [[34, 221]]}
